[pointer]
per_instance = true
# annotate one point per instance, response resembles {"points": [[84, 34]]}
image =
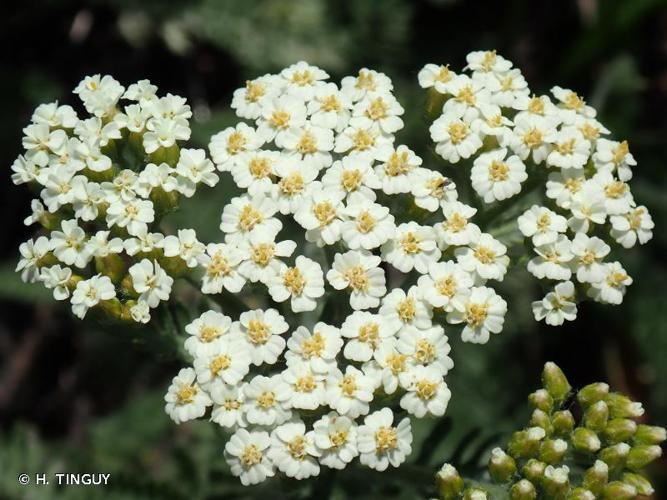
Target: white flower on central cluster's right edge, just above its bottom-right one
{"points": [[427, 392]]}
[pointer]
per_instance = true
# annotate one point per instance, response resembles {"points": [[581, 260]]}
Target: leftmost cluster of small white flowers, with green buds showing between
{"points": [[102, 183]]}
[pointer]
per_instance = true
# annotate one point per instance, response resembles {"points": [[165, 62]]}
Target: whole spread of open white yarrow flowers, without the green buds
{"points": [[343, 255]]}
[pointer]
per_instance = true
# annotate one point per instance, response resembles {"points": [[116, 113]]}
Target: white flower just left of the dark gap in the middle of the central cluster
{"points": [[303, 284]]}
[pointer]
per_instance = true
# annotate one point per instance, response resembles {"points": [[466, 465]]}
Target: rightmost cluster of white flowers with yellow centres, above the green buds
{"points": [[514, 141]]}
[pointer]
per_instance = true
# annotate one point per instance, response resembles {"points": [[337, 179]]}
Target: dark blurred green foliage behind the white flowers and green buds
{"points": [[83, 396]]}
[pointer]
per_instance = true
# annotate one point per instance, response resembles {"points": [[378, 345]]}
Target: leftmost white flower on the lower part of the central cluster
{"points": [[185, 399]]}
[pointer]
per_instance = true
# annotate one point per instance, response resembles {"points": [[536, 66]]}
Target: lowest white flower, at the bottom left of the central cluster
{"points": [[246, 454]]}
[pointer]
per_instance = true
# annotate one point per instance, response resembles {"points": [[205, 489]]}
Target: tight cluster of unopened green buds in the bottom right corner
{"points": [[601, 456]]}
